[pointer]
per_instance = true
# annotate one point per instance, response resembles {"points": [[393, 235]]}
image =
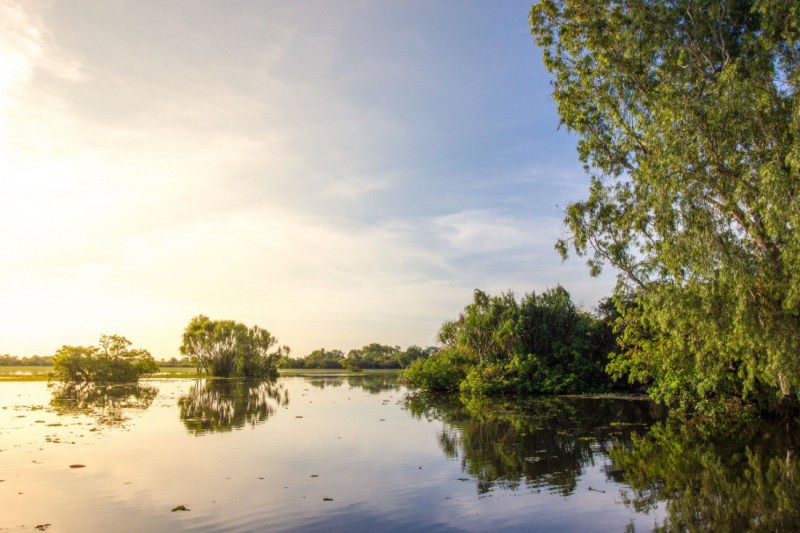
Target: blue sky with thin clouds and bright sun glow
{"points": [[339, 173]]}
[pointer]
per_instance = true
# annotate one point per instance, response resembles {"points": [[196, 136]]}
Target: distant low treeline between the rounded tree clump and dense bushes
{"points": [[370, 356]]}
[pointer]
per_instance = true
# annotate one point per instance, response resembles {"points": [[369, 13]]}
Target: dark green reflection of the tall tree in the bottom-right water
{"points": [[738, 477]]}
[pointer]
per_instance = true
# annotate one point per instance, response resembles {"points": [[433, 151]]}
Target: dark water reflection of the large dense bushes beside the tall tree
{"points": [[543, 443]]}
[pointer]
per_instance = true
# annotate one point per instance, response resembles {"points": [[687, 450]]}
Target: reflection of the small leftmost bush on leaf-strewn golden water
{"points": [[107, 404]]}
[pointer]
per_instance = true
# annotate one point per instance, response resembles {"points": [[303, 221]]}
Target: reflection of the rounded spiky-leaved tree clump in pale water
{"points": [[224, 405]]}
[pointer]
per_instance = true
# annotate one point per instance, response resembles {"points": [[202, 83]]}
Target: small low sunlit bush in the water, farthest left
{"points": [[113, 361]]}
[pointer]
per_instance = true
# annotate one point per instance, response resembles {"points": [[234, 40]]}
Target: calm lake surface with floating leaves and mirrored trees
{"points": [[358, 453]]}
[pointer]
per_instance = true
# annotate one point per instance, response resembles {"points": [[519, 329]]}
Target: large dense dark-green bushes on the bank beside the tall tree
{"points": [[541, 344]]}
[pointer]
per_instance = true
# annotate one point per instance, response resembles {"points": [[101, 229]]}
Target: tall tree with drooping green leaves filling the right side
{"points": [[687, 116]]}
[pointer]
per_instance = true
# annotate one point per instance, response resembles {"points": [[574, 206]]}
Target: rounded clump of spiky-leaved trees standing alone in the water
{"points": [[224, 348]]}
